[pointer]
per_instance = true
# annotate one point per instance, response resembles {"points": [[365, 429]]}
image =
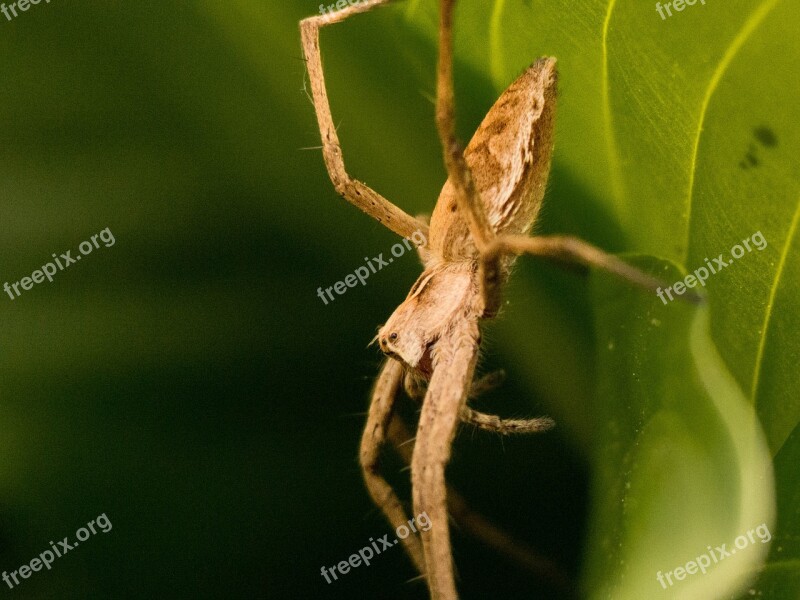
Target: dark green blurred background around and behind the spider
{"points": [[187, 381]]}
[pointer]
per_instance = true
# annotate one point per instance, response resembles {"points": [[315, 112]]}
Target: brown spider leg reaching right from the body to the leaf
{"points": [[559, 247]]}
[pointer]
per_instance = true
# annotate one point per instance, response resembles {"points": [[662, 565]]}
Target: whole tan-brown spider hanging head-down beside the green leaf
{"points": [[479, 226]]}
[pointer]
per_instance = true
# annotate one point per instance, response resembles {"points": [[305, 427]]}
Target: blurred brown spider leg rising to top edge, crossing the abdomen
{"points": [[467, 195]]}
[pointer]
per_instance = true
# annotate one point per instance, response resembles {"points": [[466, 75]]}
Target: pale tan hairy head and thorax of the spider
{"points": [[440, 296]]}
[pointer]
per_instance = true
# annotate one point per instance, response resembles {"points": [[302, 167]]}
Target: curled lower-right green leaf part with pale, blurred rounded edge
{"points": [[681, 462]]}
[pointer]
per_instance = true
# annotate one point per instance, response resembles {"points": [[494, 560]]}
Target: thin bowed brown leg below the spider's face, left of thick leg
{"points": [[380, 414]]}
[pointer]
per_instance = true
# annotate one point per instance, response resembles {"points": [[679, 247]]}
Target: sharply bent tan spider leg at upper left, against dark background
{"points": [[354, 191]]}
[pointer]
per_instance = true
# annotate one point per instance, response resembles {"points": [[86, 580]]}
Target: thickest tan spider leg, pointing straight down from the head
{"points": [[455, 358]]}
